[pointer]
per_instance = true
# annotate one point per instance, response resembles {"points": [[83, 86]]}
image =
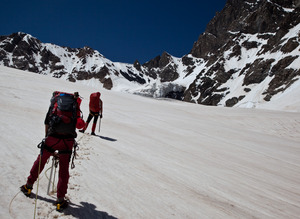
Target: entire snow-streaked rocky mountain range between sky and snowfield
{"points": [[249, 52]]}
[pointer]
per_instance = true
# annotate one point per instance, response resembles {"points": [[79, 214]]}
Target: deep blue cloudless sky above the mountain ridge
{"points": [[122, 31]]}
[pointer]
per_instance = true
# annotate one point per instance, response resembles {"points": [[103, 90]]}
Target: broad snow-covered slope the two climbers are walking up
{"points": [[154, 158]]}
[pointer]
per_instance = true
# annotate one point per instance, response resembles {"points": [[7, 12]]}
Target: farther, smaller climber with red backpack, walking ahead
{"points": [[96, 110]]}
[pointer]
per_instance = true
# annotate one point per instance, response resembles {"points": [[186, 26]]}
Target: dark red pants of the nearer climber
{"points": [[64, 159]]}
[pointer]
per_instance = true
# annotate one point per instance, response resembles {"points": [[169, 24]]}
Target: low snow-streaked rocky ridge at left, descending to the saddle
{"points": [[22, 51]]}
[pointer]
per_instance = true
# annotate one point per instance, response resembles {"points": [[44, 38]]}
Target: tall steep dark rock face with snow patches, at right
{"points": [[258, 41]]}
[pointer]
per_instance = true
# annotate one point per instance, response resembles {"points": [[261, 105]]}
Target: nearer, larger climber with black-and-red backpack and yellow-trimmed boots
{"points": [[62, 119]]}
